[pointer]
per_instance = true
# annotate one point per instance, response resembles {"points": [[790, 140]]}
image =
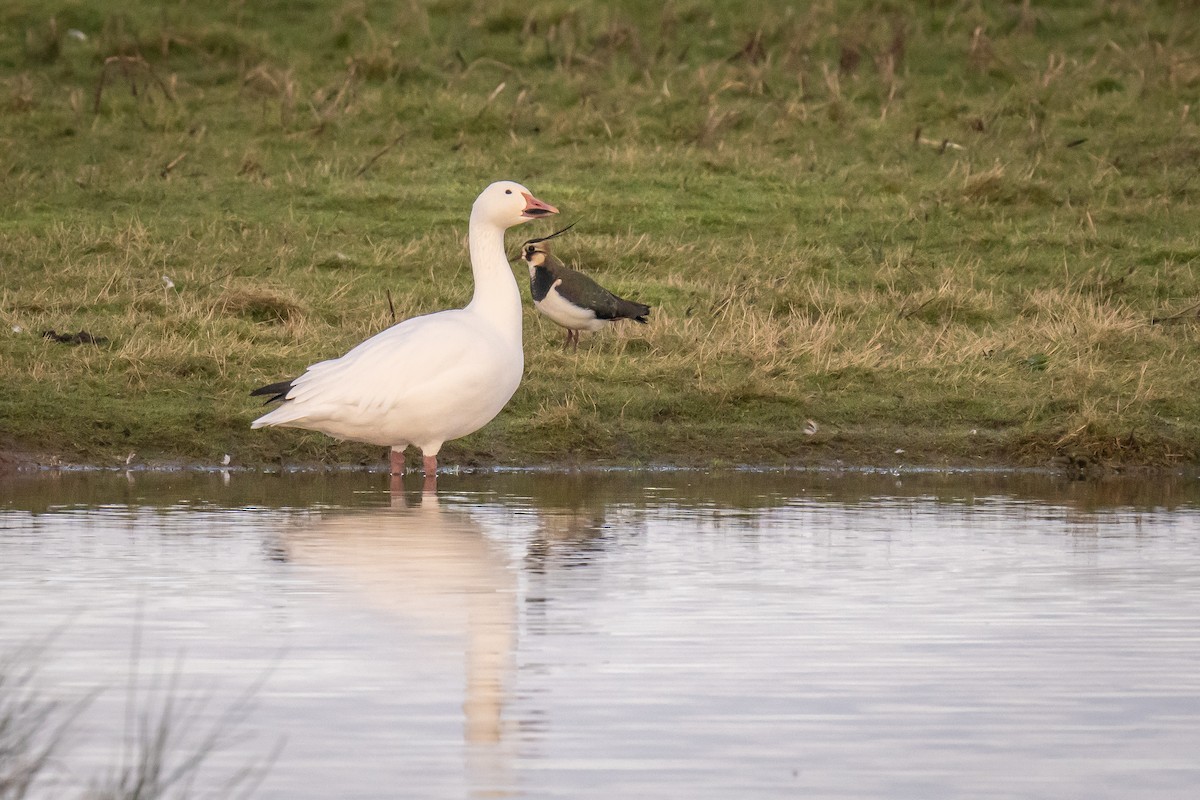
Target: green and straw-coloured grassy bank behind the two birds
{"points": [[970, 232]]}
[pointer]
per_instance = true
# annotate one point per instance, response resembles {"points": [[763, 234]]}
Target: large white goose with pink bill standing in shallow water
{"points": [[428, 380]]}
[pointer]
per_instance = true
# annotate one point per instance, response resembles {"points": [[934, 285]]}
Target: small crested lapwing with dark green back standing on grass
{"points": [[572, 299]]}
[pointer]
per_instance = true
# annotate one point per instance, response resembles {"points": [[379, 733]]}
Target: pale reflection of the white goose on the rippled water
{"points": [[437, 570]]}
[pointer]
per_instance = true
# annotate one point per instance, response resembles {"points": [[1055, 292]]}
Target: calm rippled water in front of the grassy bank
{"points": [[614, 636]]}
